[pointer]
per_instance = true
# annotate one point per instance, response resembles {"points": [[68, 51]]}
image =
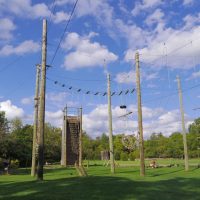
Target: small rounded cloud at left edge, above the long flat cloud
{"points": [[6, 28]]}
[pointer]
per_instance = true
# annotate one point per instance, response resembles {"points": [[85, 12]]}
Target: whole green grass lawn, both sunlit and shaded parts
{"points": [[63, 183]]}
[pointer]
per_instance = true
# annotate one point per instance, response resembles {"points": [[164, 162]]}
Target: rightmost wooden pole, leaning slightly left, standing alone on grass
{"points": [[183, 124]]}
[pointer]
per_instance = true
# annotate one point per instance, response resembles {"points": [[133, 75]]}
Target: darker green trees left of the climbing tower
{"points": [[16, 141]]}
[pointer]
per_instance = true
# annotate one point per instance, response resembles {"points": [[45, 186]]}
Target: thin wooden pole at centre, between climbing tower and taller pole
{"points": [[112, 164]]}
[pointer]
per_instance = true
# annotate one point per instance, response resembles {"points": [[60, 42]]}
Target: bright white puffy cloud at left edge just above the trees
{"points": [[11, 110]]}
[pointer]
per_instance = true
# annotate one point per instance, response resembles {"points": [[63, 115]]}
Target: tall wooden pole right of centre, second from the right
{"points": [[140, 126]]}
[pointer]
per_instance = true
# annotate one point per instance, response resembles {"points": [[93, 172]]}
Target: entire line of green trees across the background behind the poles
{"points": [[16, 143]]}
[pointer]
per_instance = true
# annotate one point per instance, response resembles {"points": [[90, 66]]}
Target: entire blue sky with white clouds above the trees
{"points": [[102, 37]]}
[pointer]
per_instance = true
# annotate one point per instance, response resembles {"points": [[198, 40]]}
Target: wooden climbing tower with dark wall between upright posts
{"points": [[72, 137]]}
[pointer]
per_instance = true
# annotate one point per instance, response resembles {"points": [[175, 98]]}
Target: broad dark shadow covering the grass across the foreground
{"points": [[101, 188]]}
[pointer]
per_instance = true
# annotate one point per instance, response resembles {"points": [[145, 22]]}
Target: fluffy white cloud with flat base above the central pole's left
{"points": [[83, 52]]}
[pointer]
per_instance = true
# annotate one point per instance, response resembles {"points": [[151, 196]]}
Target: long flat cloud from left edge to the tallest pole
{"points": [[27, 46]]}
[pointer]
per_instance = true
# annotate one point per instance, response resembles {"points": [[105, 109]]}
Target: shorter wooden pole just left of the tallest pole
{"points": [[35, 128]]}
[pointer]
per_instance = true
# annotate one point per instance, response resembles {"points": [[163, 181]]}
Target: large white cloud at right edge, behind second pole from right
{"points": [[180, 46]]}
